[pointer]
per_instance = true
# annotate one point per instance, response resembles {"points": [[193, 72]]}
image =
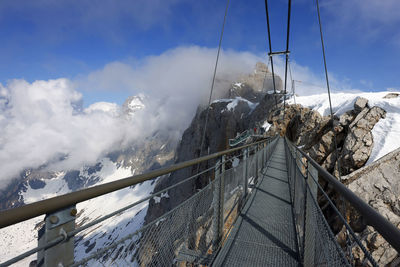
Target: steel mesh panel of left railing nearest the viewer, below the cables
{"points": [[185, 228]]}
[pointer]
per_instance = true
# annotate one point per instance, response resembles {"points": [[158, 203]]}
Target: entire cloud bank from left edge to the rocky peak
{"points": [[43, 123]]}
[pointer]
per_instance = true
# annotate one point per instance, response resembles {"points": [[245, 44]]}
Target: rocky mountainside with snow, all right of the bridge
{"points": [[375, 181]]}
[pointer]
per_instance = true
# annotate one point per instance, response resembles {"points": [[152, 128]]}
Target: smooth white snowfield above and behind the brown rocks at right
{"points": [[386, 132]]}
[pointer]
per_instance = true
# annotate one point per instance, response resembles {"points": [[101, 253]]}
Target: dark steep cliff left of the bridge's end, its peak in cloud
{"points": [[245, 105]]}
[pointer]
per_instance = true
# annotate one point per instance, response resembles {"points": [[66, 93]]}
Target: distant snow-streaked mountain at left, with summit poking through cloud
{"points": [[150, 152]]}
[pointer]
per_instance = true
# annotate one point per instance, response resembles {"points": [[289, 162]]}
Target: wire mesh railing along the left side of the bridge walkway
{"points": [[189, 233]]}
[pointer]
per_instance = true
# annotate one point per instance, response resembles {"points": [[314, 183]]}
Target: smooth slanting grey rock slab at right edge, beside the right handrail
{"points": [[378, 184]]}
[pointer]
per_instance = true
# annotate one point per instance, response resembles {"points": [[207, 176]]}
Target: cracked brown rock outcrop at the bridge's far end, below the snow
{"points": [[307, 128]]}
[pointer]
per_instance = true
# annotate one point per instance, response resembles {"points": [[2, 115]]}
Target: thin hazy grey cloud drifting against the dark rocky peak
{"points": [[176, 81]]}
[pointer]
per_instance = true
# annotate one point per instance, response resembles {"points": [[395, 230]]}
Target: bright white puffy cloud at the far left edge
{"points": [[41, 122]]}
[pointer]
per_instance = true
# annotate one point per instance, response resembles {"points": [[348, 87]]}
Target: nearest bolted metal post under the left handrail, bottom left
{"points": [[57, 224]]}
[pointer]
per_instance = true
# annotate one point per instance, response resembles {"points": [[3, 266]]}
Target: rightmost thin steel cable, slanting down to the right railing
{"points": [[332, 118]]}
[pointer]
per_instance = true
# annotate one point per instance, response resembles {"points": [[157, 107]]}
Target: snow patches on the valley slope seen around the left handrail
{"points": [[19, 238]]}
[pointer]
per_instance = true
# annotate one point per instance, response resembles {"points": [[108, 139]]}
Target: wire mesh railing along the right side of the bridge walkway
{"points": [[318, 245]]}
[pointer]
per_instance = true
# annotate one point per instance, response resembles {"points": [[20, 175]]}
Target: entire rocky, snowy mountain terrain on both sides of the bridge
{"points": [[366, 128]]}
